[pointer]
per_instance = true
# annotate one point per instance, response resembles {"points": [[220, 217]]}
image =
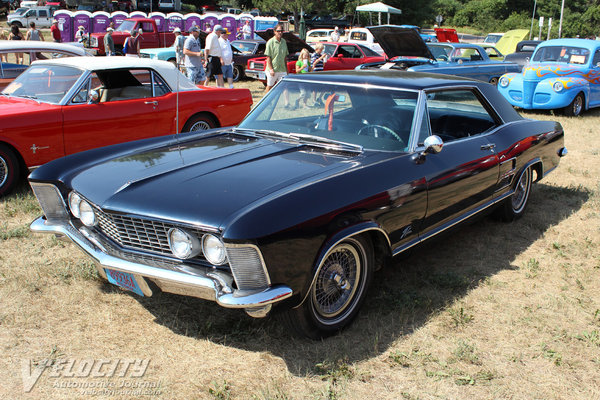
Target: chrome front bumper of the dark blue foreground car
{"points": [[208, 284]]}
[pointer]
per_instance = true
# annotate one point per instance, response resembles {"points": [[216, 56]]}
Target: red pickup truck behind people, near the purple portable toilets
{"points": [[151, 37]]}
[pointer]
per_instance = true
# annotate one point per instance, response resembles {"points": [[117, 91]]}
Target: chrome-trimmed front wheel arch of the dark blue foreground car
{"points": [[369, 229]]}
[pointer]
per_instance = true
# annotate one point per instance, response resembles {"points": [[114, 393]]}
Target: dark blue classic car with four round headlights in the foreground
{"points": [[295, 210]]}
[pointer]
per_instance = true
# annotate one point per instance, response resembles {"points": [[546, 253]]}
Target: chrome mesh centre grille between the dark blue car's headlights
{"points": [[136, 233]]}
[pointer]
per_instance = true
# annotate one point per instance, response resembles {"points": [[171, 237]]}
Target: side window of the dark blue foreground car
{"points": [[457, 114]]}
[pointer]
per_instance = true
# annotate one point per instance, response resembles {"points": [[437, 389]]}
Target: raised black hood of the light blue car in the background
{"points": [[400, 42]]}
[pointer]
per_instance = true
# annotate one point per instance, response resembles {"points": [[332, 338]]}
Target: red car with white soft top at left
{"points": [[64, 106]]}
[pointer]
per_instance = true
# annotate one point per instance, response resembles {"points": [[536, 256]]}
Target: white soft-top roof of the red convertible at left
{"points": [[167, 70]]}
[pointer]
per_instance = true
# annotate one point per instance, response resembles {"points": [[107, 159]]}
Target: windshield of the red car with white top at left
{"points": [[48, 83]]}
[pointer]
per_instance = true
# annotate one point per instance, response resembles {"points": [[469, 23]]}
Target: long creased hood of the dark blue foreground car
{"points": [[205, 181]]}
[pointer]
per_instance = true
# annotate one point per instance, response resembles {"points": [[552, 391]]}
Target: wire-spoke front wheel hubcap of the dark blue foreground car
{"points": [[337, 282]]}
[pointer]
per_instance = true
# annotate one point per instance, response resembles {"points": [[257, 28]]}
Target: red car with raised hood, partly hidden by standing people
{"points": [[342, 55]]}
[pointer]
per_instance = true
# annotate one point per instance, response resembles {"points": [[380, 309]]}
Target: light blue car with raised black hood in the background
{"points": [[407, 51]]}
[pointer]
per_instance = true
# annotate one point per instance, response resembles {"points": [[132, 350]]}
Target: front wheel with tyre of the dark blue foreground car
{"points": [[337, 292]]}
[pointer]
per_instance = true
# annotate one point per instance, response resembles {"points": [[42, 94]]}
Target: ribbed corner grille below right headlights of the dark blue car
{"points": [[247, 268]]}
